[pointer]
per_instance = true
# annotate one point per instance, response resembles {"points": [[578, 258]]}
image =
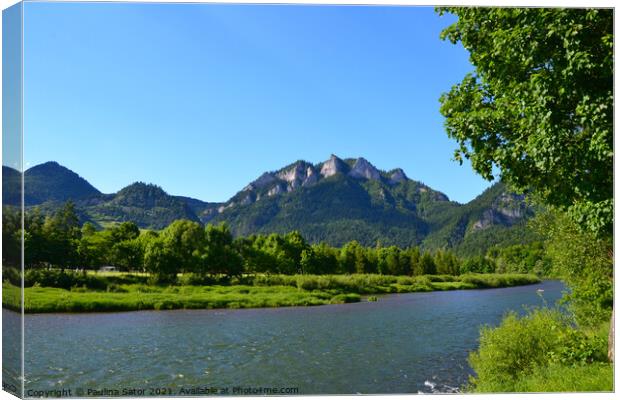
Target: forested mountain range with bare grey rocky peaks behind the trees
{"points": [[335, 201]]}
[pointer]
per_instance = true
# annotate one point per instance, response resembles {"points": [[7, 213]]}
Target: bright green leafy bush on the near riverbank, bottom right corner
{"points": [[531, 353]]}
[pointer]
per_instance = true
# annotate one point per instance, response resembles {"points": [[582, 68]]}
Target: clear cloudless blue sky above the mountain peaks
{"points": [[201, 99]]}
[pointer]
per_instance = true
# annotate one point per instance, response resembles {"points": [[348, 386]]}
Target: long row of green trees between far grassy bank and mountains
{"points": [[185, 246]]}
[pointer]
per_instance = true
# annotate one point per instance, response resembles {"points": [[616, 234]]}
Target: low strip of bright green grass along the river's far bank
{"points": [[122, 293]]}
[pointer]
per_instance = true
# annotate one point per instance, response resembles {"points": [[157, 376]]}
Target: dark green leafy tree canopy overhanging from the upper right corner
{"points": [[539, 104]]}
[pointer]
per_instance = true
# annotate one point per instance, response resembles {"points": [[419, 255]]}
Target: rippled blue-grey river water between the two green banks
{"points": [[403, 343]]}
